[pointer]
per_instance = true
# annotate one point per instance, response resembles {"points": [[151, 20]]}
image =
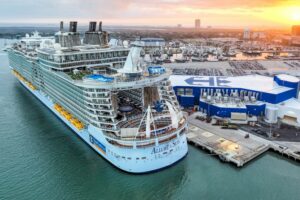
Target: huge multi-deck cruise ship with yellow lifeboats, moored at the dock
{"points": [[126, 111]]}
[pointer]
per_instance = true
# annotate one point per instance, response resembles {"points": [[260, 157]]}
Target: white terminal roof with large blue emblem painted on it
{"points": [[257, 83]]}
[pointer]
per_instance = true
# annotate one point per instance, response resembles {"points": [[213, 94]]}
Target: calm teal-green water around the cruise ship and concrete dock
{"points": [[40, 158]]}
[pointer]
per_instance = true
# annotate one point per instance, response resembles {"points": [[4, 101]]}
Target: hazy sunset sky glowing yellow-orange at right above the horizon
{"points": [[215, 13]]}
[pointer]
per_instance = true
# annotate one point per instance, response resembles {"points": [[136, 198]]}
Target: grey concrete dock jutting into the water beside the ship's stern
{"points": [[232, 145]]}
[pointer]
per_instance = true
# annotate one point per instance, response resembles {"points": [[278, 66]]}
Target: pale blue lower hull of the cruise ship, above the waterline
{"points": [[132, 160]]}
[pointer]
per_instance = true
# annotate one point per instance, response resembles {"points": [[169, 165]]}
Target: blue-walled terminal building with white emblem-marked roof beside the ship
{"points": [[242, 97]]}
